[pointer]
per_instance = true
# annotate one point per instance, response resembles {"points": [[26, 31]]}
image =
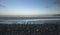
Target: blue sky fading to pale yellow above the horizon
{"points": [[29, 7]]}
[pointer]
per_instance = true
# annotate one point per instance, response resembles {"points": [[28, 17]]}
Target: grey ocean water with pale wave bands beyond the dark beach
{"points": [[28, 20]]}
